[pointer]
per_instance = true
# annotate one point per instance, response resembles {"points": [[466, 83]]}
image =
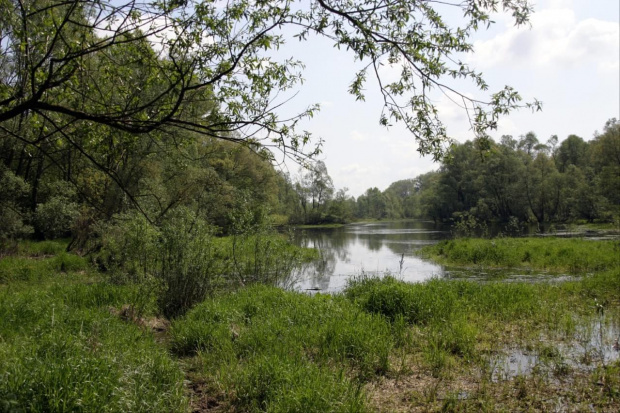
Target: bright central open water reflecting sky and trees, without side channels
{"points": [[371, 248]]}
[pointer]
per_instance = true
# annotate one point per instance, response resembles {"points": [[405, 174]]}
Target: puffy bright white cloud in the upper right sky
{"points": [[556, 39]]}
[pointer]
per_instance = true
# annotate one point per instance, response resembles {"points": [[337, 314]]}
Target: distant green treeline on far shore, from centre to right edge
{"points": [[512, 181]]}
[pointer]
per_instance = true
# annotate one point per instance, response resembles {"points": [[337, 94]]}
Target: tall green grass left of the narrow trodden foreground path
{"points": [[62, 350]]}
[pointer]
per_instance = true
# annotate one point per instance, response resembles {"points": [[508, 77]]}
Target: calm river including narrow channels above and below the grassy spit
{"points": [[384, 247]]}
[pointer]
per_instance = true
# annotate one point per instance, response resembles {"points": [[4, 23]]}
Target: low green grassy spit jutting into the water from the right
{"points": [[574, 255]]}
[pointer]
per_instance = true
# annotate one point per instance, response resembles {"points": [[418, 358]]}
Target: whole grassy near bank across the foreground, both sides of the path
{"points": [[69, 342]]}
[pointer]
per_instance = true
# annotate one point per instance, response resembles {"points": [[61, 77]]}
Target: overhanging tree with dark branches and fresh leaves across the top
{"points": [[203, 67]]}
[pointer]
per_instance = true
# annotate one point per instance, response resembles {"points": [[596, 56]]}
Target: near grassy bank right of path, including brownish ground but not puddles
{"points": [[263, 349]]}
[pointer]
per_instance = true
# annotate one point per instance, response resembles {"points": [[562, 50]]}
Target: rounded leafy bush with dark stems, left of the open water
{"points": [[176, 264]]}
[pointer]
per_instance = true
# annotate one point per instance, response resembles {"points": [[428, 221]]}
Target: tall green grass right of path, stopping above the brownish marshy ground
{"points": [[270, 350]]}
